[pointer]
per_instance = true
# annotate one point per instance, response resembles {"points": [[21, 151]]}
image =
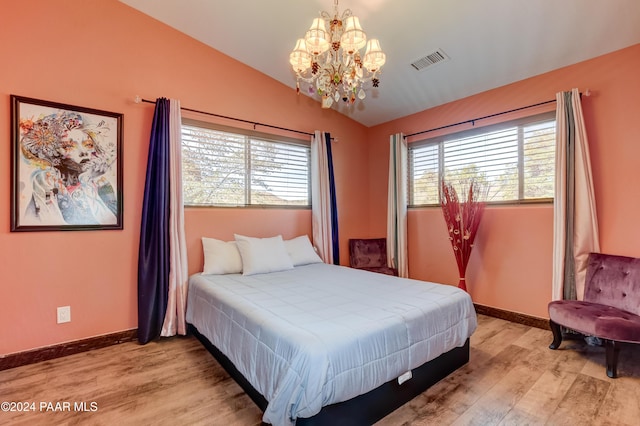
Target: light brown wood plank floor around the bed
{"points": [[512, 378]]}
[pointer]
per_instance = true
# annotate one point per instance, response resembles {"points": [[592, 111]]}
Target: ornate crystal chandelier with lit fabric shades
{"points": [[329, 61]]}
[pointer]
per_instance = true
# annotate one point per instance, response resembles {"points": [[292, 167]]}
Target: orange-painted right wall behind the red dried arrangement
{"points": [[510, 267]]}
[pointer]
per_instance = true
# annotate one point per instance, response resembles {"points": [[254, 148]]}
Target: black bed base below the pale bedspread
{"points": [[364, 409]]}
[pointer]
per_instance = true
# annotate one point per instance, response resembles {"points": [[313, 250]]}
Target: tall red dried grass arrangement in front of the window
{"points": [[463, 219]]}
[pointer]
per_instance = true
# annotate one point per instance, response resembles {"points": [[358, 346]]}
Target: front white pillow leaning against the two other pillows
{"points": [[262, 255]]}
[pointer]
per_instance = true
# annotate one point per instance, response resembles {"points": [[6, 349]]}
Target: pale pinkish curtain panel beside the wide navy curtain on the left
{"points": [[174, 320]]}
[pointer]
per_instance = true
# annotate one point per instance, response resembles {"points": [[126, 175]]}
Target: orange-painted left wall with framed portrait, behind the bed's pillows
{"points": [[101, 57]]}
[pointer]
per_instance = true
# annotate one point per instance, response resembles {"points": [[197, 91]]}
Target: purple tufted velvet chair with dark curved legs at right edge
{"points": [[610, 309]]}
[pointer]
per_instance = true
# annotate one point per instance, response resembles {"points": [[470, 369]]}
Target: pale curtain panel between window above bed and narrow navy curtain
{"points": [[320, 198]]}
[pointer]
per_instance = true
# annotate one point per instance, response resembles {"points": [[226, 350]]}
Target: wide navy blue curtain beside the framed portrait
{"points": [[153, 255]]}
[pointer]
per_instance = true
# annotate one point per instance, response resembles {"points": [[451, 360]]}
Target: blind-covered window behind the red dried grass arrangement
{"points": [[515, 161]]}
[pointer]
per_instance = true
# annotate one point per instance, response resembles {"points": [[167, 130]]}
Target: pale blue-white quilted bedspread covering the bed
{"points": [[320, 334]]}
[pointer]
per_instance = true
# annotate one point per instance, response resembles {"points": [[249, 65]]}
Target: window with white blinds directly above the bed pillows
{"points": [[230, 167]]}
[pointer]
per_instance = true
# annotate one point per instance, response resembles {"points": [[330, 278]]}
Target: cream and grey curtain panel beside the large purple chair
{"points": [[575, 223]]}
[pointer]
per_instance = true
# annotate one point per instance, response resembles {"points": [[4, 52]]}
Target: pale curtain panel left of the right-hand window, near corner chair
{"points": [[397, 205]]}
